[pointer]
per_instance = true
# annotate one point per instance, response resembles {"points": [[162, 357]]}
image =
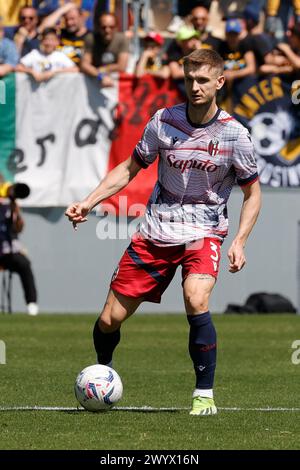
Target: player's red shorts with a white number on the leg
{"points": [[146, 270]]}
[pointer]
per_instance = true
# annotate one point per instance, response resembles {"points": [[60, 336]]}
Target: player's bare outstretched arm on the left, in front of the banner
{"points": [[115, 180]]}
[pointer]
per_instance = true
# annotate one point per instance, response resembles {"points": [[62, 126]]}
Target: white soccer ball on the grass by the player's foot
{"points": [[98, 388]]}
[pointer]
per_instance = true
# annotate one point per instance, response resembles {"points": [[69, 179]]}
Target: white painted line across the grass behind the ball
{"points": [[133, 408]]}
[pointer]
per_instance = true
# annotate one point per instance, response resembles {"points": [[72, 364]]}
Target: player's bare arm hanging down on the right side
{"points": [[249, 213]]}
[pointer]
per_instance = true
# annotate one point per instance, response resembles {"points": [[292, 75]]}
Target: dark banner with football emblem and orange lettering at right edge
{"points": [[269, 107]]}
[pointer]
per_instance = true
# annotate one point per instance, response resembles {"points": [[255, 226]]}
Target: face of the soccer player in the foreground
{"points": [[202, 84]]}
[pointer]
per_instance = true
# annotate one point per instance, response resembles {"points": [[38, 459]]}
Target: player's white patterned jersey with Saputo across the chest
{"points": [[198, 166]]}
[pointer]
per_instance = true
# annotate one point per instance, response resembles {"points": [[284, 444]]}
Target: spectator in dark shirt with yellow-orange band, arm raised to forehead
{"points": [[73, 35]]}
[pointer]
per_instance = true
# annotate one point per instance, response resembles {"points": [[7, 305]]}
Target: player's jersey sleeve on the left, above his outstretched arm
{"points": [[147, 148]]}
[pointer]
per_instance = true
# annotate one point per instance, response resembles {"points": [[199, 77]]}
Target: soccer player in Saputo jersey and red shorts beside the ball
{"points": [[202, 151]]}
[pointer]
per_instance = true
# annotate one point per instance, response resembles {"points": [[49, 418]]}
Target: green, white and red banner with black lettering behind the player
{"points": [[63, 136]]}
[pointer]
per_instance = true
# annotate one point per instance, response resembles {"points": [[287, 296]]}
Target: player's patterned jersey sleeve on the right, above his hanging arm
{"points": [[244, 160]]}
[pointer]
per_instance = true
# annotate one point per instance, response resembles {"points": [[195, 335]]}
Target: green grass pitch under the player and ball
{"points": [[44, 355]]}
